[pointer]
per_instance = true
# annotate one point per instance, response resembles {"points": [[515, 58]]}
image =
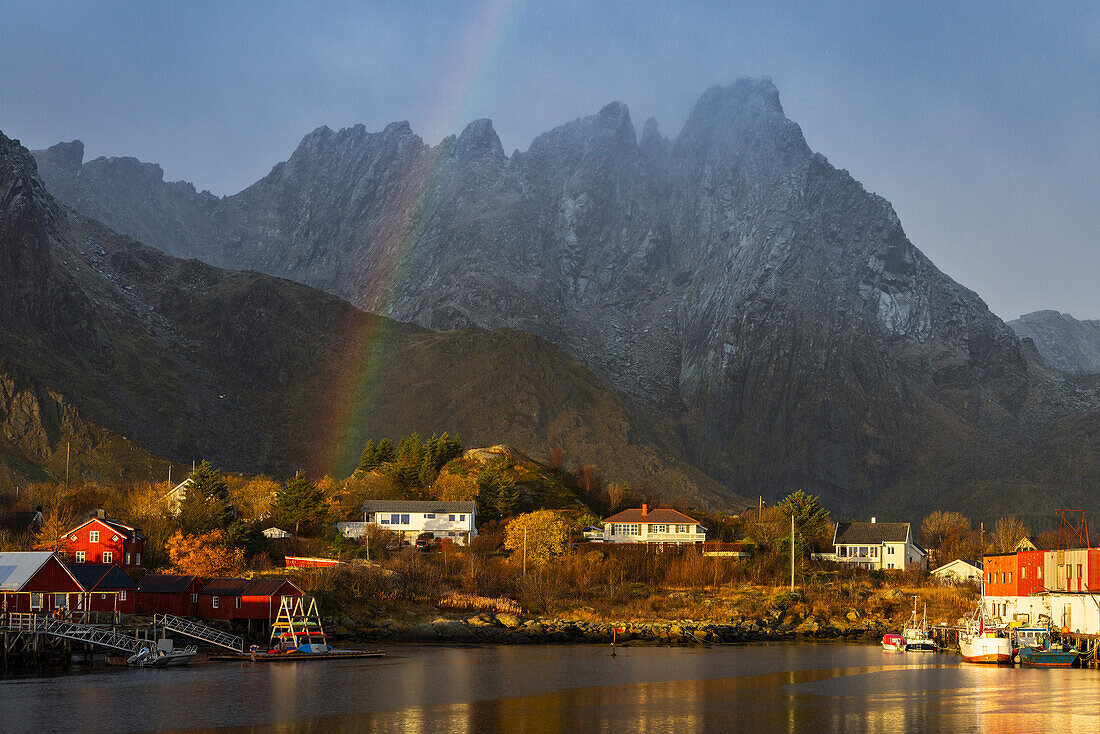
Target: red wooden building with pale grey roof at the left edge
{"points": [[37, 583]]}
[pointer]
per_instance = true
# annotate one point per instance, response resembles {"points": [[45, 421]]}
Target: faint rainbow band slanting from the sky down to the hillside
{"points": [[340, 439]]}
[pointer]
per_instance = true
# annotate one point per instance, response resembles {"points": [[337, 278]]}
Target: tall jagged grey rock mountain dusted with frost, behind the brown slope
{"points": [[730, 283]]}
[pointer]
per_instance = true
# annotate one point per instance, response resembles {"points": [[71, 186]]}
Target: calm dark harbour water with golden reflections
{"points": [[794, 687]]}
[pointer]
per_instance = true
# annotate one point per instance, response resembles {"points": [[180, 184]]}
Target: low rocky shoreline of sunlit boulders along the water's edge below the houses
{"points": [[512, 629]]}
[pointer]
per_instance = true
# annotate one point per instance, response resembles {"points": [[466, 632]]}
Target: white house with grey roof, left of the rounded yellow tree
{"points": [[413, 518]]}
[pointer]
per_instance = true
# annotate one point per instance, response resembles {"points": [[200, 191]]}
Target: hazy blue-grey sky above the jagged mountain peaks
{"points": [[981, 123]]}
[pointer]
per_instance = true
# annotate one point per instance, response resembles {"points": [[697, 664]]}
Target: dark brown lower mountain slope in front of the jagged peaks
{"points": [[112, 346]]}
